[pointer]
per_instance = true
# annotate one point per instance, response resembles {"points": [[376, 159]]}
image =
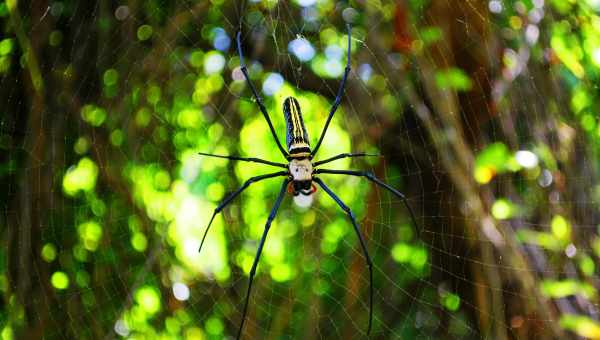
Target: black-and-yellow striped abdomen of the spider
{"points": [[297, 137]]}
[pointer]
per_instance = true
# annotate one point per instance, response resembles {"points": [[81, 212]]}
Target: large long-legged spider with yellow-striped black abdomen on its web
{"points": [[300, 173]]}
